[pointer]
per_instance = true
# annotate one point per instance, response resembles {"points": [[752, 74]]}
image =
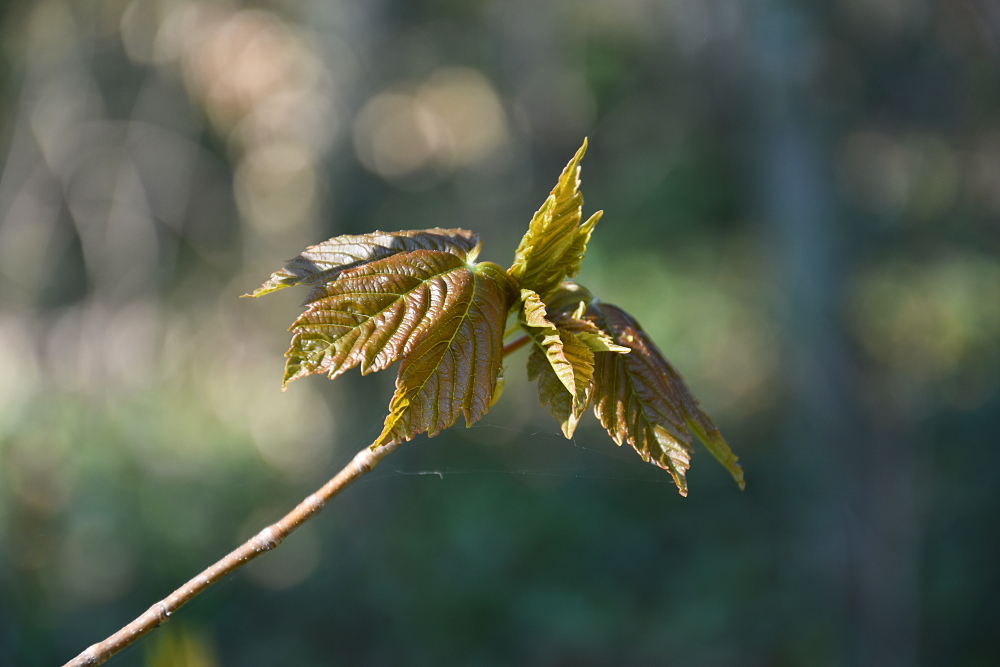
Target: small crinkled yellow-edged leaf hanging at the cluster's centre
{"points": [[561, 362]]}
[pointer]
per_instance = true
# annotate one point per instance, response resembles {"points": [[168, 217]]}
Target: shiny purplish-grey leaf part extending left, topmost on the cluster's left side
{"points": [[325, 262]]}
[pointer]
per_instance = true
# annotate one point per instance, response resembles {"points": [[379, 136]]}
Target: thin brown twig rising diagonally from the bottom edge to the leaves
{"points": [[257, 545]]}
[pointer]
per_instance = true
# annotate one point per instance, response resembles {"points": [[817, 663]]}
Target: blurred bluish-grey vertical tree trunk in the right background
{"points": [[857, 506]]}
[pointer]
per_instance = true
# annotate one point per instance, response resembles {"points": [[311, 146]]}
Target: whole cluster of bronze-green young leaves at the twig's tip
{"points": [[420, 297]]}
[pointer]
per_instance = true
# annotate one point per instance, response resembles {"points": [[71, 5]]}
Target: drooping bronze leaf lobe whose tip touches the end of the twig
{"points": [[453, 368]]}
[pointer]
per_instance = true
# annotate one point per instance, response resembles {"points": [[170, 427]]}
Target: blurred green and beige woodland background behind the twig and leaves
{"points": [[803, 209]]}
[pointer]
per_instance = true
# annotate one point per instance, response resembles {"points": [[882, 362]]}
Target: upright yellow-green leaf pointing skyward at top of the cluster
{"points": [[556, 241]]}
